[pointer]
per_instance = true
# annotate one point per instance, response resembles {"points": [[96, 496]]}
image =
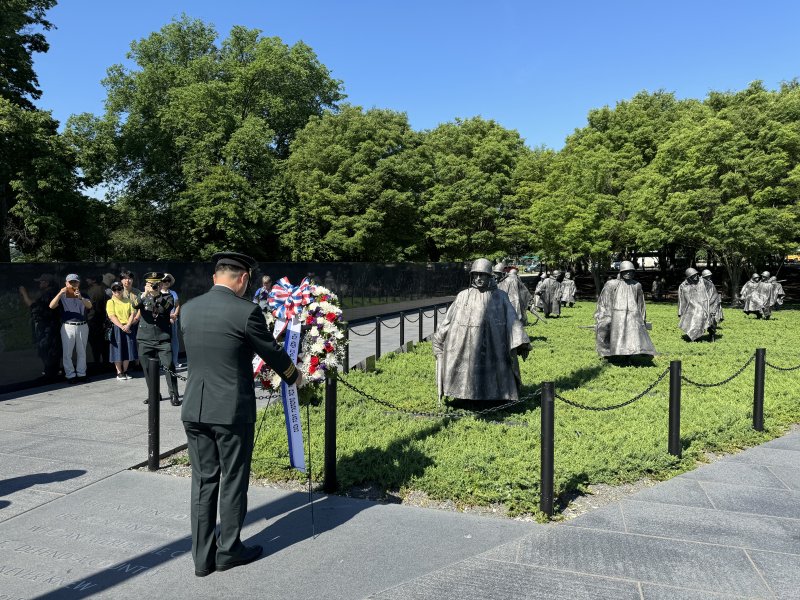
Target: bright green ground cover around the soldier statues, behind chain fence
{"points": [[473, 461]]}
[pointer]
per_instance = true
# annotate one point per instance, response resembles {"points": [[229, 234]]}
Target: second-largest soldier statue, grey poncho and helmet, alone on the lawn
{"points": [[621, 328]]}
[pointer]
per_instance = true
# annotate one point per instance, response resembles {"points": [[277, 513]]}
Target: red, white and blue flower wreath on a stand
{"points": [[322, 339]]}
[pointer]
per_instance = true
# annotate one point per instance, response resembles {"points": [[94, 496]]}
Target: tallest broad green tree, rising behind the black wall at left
{"points": [[192, 138]]}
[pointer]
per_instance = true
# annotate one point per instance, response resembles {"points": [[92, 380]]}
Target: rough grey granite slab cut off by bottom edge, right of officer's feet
{"points": [[482, 579]]}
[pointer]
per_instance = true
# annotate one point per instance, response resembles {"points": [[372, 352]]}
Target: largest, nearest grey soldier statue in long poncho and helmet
{"points": [[477, 343]]}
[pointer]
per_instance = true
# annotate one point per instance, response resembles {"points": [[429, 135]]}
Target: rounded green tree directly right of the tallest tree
{"points": [[357, 185]]}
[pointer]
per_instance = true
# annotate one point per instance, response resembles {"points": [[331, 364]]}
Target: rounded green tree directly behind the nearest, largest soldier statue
{"points": [[469, 199]]}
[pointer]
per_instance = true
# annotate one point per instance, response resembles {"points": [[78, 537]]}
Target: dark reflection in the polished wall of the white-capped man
{"points": [[46, 325]]}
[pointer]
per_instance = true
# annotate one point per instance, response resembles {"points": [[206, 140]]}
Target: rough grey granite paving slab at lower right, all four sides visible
{"points": [[691, 565]]}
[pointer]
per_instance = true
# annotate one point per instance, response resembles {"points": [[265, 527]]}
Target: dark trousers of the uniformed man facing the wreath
{"points": [[220, 457]]}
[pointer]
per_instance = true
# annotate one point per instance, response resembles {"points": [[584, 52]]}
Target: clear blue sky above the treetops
{"points": [[534, 66]]}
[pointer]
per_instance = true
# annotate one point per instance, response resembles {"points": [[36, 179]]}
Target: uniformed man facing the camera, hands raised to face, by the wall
{"points": [[154, 335]]}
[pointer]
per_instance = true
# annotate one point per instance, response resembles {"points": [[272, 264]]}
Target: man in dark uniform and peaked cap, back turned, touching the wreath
{"points": [[221, 332]]}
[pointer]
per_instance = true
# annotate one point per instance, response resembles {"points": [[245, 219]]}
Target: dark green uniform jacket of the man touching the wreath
{"points": [[222, 332]]}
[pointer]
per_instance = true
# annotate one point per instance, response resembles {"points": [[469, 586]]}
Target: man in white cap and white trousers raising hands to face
{"points": [[74, 330]]}
